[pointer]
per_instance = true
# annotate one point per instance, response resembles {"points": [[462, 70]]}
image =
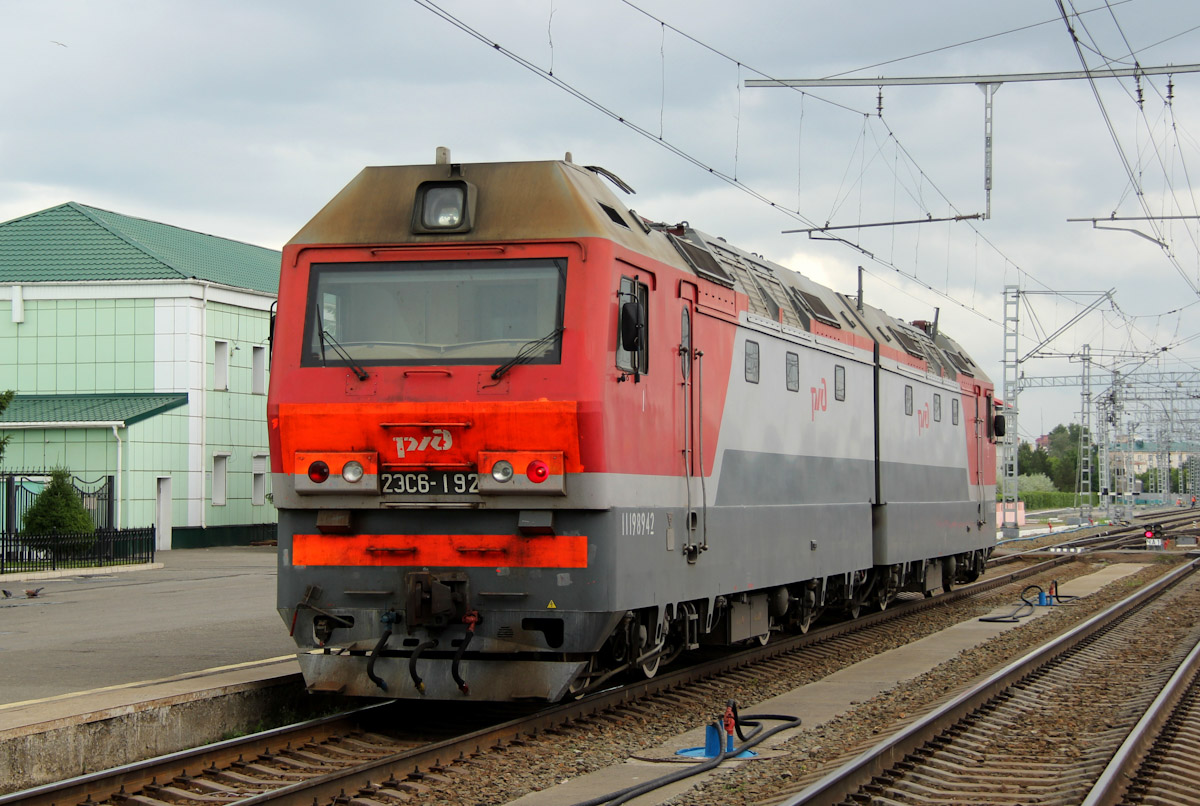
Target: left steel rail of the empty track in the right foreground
{"points": [[843, 783]]}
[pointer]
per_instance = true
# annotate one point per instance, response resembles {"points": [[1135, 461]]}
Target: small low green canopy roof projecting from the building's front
{"points": [[32, 411]]}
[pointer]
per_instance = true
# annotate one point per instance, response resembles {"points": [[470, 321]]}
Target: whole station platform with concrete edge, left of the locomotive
{"points": [[95, 667]]}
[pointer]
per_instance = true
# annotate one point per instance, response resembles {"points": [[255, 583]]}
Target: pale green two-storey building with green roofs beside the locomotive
{"points": [[140, 351]]}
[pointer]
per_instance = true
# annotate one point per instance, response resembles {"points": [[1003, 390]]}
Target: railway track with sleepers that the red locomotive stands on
{"points": [[363, 753]]}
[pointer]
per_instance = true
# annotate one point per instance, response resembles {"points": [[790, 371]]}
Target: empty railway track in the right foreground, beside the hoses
{"points": [[1043, 729]]}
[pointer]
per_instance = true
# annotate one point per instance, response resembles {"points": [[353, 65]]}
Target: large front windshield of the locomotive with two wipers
{"points": [[434, 312]]}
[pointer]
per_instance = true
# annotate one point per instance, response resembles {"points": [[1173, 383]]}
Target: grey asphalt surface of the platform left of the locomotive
{"points": [[205, 609]]}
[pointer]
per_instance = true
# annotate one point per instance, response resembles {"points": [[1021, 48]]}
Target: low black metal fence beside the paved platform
{"points": [[82, 551]]}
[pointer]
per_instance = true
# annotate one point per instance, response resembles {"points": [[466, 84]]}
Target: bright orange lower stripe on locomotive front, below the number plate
{"points": [[465, 551]]}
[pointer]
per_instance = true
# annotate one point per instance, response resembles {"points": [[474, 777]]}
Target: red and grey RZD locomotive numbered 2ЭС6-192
{"points": [[524, 440]]}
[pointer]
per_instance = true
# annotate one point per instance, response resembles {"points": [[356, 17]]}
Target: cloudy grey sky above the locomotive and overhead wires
{"points": [[243, 118]]}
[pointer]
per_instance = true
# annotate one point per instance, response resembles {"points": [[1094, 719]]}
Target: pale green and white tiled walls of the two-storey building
{"points": [[140, 339]]}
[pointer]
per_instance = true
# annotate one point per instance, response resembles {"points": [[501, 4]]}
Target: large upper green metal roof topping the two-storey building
{"points": [[74, 243]]}
